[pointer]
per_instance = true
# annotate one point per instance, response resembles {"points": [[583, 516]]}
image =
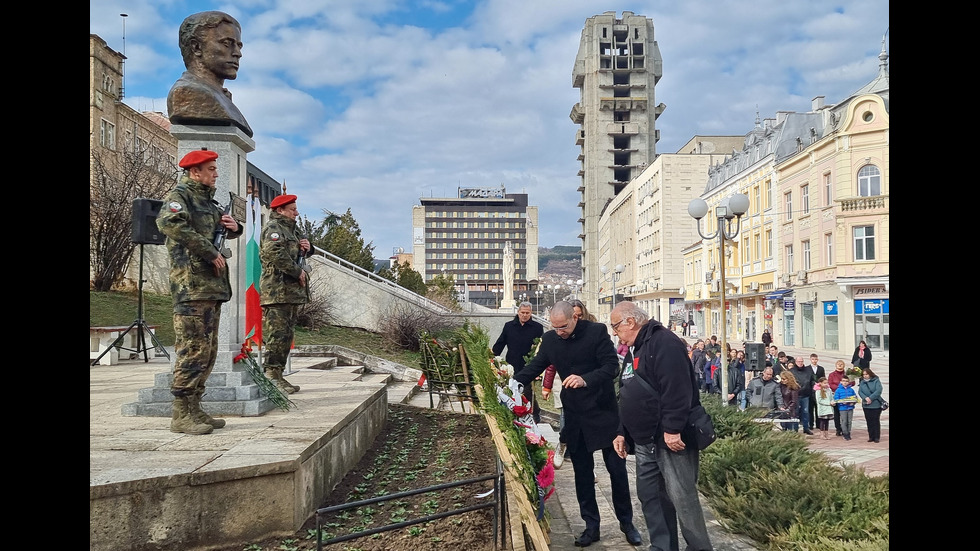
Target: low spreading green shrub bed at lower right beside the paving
{"points": [[767, 485]]}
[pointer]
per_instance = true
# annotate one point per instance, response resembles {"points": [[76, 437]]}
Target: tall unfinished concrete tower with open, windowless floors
{"points": [[616, 69]]}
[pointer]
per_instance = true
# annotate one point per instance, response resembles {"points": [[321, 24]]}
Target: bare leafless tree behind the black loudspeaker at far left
{"points": [[140, 170]]}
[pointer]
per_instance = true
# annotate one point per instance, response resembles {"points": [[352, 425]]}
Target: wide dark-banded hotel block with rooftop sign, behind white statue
{"points": [[464, 238]]}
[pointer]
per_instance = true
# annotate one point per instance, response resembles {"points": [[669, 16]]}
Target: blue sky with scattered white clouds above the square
{"points": [[370, 105]]}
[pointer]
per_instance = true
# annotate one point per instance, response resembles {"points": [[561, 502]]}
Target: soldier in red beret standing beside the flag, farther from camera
{"points": [[284, 284]]}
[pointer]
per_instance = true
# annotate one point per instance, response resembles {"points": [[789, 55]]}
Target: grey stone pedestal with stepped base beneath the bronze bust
{"points": [[230, 390]]}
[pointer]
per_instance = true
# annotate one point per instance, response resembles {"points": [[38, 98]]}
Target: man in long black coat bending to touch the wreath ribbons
{"points": [[585, 358]]}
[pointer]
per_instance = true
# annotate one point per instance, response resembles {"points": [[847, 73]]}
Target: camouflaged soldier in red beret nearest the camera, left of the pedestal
{"points": [[199, 283]]}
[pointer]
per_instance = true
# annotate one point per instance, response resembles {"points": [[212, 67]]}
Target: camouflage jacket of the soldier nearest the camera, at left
{"points": [[189, 217]]}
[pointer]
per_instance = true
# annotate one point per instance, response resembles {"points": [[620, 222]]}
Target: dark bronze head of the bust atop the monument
{"points": [[211, 45]]}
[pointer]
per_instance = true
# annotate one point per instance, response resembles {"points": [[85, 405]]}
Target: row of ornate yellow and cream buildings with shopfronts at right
{"points": [[810, 261]]}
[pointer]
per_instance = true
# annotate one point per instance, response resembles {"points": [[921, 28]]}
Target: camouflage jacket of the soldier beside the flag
{"points": [[279, 254]]}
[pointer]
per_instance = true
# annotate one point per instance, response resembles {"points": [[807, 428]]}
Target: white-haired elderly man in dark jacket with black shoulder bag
{"points": [[655, 416]]}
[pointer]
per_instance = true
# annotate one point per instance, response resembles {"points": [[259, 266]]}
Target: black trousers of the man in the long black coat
{"points": [[584, 466]]}
